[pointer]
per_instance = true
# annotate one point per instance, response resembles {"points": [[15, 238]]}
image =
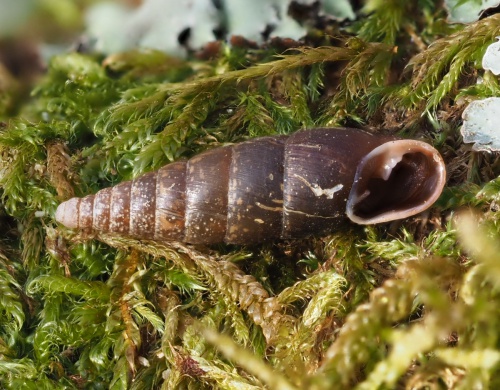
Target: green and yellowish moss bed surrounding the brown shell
{"points": [[413, 304]]}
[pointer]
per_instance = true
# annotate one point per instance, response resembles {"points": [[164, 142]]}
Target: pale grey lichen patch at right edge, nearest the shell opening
{"points": [[480, 124]]}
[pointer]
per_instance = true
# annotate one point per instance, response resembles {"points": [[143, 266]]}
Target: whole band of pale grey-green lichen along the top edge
{"points": [[172, 26]]}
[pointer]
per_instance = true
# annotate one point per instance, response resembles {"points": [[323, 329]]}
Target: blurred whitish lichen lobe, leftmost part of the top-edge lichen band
{"points": [[155, 24]]}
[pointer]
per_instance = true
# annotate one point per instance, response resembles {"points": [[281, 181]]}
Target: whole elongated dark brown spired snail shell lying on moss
{"points": [[267, 188]]}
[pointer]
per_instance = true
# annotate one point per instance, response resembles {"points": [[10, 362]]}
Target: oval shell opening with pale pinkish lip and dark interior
{"points": [[396, 180]]}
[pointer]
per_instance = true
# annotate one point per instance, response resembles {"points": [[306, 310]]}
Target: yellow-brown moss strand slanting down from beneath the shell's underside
{"points": [[226, 277]]}
